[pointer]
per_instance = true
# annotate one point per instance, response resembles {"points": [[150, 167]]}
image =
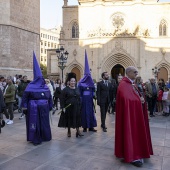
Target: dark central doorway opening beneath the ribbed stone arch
{"points": [[116, 70]]}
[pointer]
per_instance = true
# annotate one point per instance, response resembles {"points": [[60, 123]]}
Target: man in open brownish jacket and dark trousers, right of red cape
{"points": [[152, 94]]}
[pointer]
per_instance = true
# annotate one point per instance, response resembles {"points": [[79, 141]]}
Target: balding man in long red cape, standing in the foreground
{"points": [[132, 133]]}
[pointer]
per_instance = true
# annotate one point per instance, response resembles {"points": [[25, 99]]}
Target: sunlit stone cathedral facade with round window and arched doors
{"points": [[116, 34]]}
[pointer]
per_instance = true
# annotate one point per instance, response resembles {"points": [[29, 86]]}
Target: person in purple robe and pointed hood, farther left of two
{"points": [[37, 101]]}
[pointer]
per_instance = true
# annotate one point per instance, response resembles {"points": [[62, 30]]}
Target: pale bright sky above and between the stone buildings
{"points": [[51, 12]]}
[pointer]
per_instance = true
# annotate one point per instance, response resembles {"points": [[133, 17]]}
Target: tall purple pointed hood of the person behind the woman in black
{"points": [[87, 80]]}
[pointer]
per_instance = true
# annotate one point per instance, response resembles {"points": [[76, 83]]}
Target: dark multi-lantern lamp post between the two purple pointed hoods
{"points": [[62, 59]]}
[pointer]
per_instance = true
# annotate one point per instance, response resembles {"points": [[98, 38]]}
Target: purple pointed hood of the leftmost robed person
{"points": [[38, 84]]}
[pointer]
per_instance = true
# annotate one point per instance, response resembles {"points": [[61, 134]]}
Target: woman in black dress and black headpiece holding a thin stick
{"points": [[70, 100]]}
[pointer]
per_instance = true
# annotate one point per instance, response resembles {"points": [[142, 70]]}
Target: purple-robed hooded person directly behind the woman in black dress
{"points": [[87, 92]]}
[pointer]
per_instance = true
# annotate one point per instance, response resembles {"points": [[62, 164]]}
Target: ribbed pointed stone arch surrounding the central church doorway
{"points": [[121, 59]]}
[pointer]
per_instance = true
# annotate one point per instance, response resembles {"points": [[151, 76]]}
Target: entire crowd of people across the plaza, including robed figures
{"points": [[132, 101]]}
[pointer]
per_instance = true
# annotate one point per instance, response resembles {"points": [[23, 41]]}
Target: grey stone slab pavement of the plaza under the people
{"points": [[94, 151]]}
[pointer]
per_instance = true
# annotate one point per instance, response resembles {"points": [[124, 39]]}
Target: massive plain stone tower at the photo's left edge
{"points": [[19, 36]]}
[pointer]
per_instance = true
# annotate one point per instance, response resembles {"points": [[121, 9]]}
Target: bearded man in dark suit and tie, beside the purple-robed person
{"points": [[103, 97]]}
